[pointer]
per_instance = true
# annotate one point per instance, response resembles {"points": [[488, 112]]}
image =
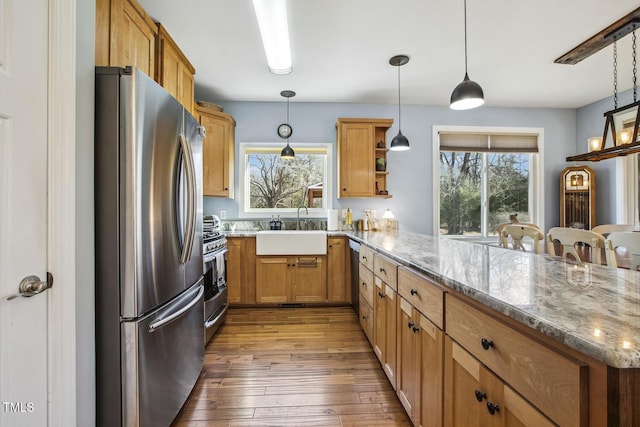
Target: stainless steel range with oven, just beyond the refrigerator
{"points": [[214, 256]]}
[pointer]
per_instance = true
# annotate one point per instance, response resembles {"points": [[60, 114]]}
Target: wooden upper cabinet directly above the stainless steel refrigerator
{"points": [[125, 35]]}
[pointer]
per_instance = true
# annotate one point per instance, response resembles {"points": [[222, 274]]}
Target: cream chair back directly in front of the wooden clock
{"points": [[570, 237]]}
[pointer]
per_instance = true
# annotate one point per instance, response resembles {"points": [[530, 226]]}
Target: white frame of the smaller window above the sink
{"points": [[244, 170]]}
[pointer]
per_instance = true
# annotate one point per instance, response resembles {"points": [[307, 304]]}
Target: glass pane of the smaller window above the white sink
{"points": [[286, 184]]}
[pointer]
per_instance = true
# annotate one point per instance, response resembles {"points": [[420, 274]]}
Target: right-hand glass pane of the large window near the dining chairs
{"points": [[508, 188]]}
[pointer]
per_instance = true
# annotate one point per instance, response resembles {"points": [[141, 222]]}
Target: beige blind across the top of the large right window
{"points": [[495, 143]]}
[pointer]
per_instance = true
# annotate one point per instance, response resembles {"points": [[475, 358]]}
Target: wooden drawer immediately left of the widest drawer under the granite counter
{"points": [[424, 295]]}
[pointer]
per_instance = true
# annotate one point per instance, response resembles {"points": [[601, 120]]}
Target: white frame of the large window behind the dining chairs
{"points": [[536, 173]]}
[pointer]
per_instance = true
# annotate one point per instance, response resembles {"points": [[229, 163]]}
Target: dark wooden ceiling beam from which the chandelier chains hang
{"points": [[602, 39]]}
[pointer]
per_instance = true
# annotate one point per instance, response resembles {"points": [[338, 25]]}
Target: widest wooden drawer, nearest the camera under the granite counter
{"points": [[555, 383]]}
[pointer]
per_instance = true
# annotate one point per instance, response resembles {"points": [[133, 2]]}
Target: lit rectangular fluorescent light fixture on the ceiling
{"points": [[274, 29]]}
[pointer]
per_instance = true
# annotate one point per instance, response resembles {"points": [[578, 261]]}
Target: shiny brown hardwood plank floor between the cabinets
{"points": [[291, 367]]}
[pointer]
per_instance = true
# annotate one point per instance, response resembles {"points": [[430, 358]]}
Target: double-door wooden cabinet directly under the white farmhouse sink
{"points": [[283, 279]]}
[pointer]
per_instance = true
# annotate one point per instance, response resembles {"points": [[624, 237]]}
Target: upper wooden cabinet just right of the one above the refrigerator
{"points": [[174, 72]]}
